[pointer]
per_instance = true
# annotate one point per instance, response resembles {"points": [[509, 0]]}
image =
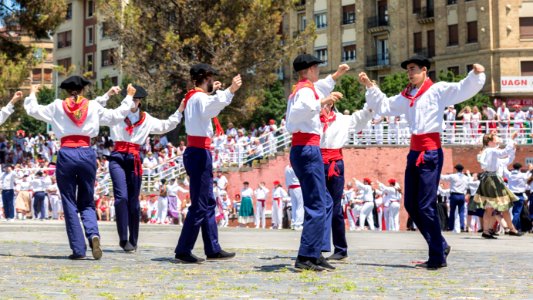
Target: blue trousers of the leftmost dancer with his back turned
{"points": [[76, 174]]}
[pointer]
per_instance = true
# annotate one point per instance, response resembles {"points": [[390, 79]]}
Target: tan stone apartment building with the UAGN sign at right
{"points": [[376, 35]]}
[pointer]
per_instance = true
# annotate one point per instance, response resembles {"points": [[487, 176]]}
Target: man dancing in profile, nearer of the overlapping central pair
{"points": [[303, 122]]}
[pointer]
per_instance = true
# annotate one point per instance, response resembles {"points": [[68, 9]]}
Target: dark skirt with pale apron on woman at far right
{"points": [[493, 193]]}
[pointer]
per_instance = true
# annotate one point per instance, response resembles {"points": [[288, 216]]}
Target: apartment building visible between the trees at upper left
{"points": [[83, 45]]}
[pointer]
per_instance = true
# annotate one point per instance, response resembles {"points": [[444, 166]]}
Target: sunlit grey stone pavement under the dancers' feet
{"points": [[33, 265]]}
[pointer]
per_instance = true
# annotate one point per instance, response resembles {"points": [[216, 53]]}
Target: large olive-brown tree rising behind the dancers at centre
{"points": [[161, 39]]}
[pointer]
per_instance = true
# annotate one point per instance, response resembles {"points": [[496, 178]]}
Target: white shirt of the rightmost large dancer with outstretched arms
{"points": [[425, 116]]}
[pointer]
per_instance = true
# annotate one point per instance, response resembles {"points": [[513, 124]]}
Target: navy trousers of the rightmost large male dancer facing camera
{"points": [[421, 183]]}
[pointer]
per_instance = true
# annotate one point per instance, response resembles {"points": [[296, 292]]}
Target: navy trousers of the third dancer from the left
{"points": [[199, 166]]}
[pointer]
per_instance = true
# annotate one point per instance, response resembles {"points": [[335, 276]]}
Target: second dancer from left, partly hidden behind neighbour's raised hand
{"points": [[125, 166]]}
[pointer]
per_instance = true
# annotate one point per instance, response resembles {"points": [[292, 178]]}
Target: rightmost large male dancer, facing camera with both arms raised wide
{"points": [[423, 103]]}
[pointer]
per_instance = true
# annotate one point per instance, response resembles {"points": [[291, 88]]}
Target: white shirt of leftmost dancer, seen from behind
{"points": [[97, 115]]}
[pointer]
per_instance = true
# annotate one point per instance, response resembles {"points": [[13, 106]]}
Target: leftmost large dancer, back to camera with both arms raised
{"points": [[75, 121]]}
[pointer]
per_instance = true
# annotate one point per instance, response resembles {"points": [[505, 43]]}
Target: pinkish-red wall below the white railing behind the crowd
{"points": [[376, 163]]}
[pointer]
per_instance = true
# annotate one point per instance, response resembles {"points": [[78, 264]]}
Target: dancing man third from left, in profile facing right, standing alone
{"points": [[200, 108]]}
